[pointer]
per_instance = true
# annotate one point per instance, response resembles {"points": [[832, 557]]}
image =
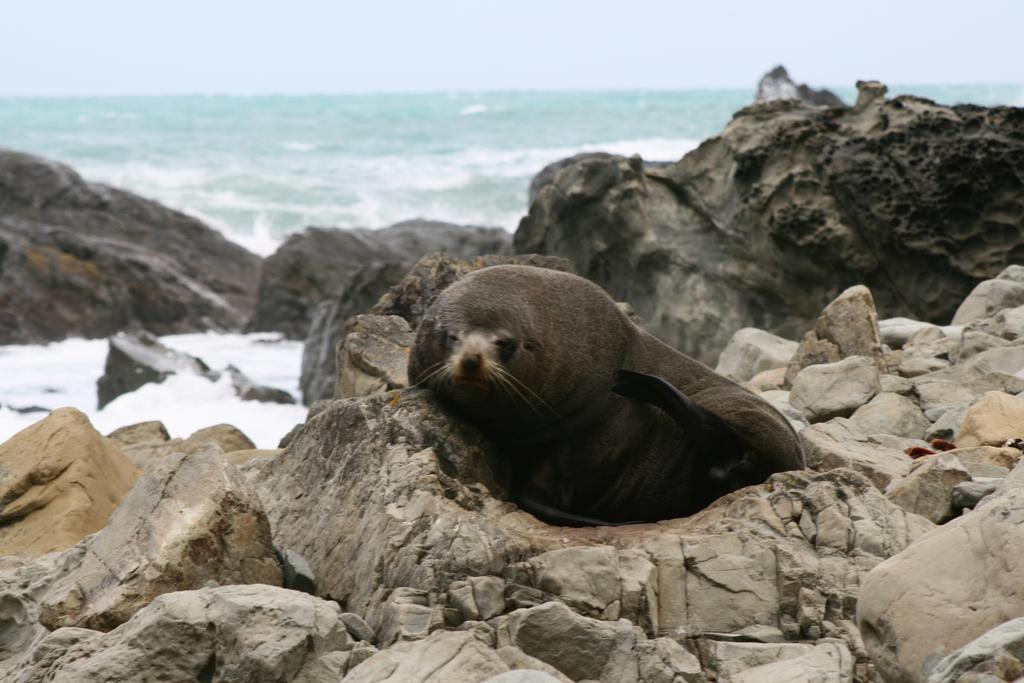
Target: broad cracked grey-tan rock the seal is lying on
{"points": [[400, 485]]}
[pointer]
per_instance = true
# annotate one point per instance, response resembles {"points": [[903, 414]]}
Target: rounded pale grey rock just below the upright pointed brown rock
{"points": [[835, 390]]}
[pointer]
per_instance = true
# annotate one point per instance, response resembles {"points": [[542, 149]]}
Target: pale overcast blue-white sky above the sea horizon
{"points": [[124, 48]]}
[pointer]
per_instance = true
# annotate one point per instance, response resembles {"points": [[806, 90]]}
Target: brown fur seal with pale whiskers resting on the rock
{"points": [[602, 421]]}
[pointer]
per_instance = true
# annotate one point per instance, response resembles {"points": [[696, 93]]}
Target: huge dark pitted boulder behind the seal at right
{"points": [[767, 223]]}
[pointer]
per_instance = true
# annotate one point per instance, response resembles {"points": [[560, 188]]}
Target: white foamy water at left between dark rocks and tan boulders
{"points": [[66, 373]]}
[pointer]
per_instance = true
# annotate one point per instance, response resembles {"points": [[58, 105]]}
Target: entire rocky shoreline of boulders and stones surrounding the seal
{"points": [[378, 542]]}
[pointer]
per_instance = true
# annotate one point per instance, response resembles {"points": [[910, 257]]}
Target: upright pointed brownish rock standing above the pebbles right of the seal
{"points": [[847, 327]]}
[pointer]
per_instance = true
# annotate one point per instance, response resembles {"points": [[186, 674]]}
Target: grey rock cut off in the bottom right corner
{"points": [[998, 656]]}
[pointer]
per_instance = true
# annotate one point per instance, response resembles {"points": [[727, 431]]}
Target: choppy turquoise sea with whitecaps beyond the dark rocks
{"points": [[262, 167]]}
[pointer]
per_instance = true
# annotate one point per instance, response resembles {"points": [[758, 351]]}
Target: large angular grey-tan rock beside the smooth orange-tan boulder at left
{"points": [[189, 521]]}
